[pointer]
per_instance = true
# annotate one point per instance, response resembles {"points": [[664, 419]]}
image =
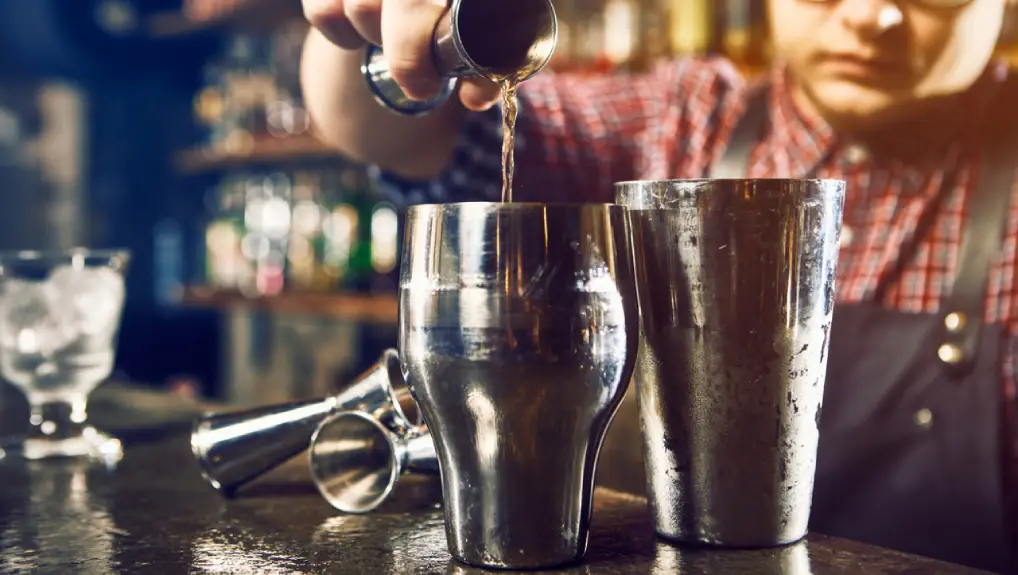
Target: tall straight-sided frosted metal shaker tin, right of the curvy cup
{"points": [[737, 293]]}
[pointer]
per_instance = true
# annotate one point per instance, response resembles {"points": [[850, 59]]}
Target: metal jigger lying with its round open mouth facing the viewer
{"points": [[356, 462]]}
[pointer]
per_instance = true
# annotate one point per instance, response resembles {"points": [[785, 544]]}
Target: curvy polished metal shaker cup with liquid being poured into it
{"points": [[519, 334]]}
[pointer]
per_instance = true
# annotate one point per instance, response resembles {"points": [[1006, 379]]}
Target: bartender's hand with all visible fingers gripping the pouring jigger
{"points": [[404, 29]]}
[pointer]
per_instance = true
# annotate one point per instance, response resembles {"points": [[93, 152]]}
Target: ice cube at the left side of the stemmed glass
{"points": [[30, 319]]}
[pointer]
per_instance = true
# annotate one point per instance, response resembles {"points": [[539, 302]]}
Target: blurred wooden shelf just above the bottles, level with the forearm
{"points": [[267, 150]]}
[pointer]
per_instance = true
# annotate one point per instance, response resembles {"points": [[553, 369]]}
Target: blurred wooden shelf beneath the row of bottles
{"points": [[380, 310]]}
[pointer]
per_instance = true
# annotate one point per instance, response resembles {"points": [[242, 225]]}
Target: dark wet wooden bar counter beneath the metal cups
{"points": [[155, 514]]}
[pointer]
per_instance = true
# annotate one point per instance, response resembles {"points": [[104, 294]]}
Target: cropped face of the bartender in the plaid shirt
{"points": [[873, 61]]}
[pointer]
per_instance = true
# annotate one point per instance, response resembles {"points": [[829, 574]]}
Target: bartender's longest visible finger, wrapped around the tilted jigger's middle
{"points": [[408, 27]]}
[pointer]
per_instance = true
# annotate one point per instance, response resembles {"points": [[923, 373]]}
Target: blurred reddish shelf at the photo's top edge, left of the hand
{"points": [[244, 15]]}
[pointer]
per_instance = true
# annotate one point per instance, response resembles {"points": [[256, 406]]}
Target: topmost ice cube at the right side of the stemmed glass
{"points": [[91, 299]]}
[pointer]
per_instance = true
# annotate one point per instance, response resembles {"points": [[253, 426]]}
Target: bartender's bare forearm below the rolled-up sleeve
{"points": [[347, 118]]}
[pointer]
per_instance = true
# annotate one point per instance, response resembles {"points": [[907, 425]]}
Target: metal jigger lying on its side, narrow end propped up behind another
{"points": [[236, 448]]}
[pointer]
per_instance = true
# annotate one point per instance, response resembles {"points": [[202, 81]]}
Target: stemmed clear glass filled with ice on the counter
{"points": [[60, 318]]}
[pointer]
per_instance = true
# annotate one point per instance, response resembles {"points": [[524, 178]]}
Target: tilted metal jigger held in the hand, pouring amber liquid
{"points": [[475, 38]]}
